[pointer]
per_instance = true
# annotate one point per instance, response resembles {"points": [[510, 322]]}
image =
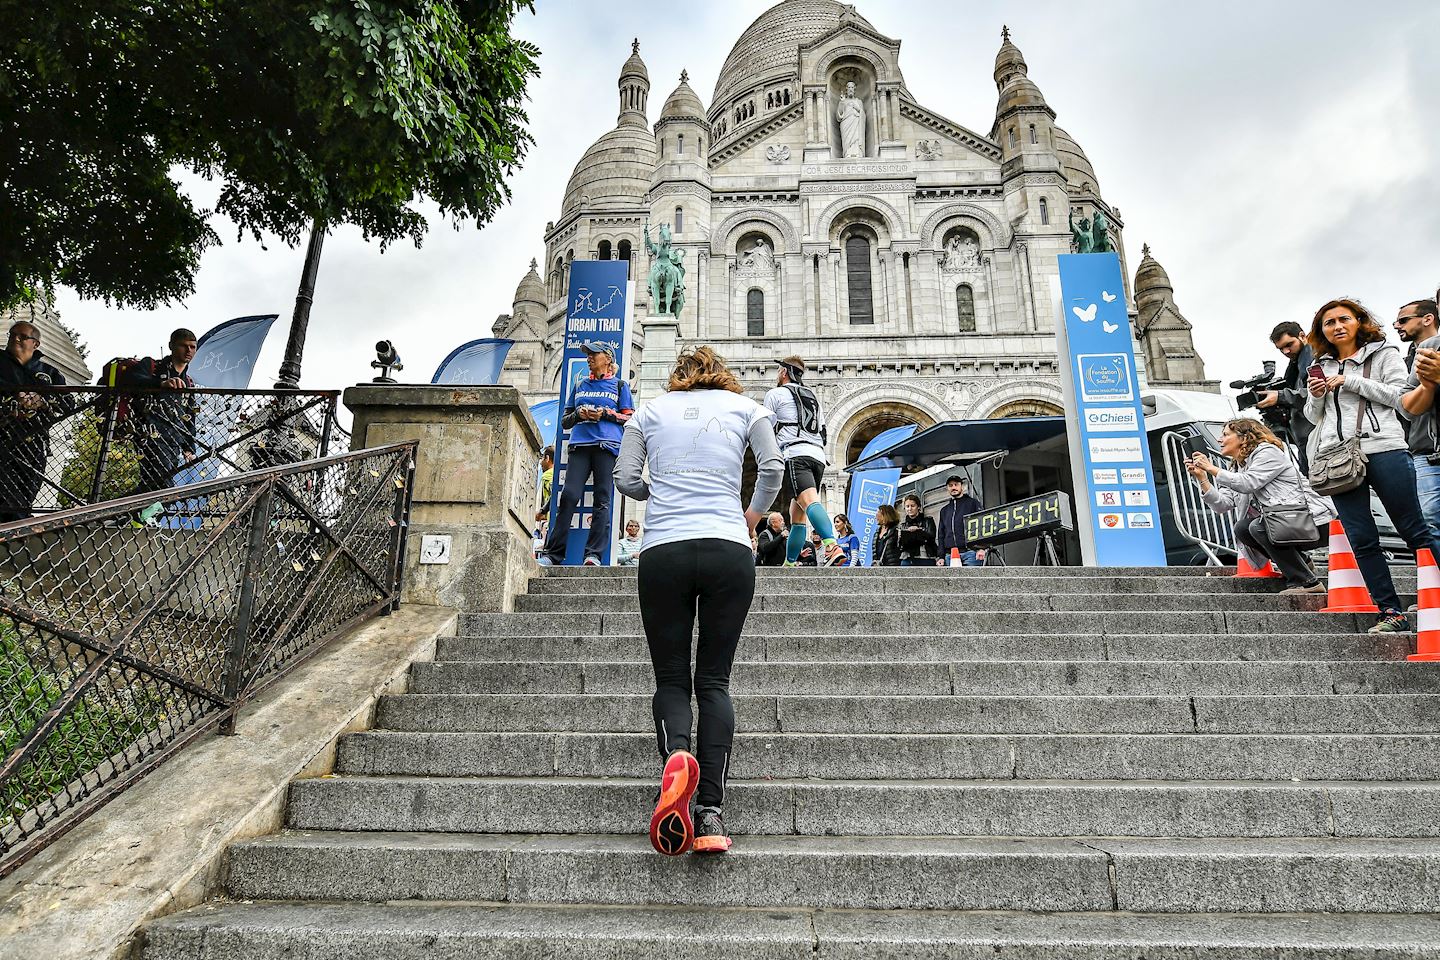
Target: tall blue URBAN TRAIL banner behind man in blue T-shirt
{"points": [[598, 312]]}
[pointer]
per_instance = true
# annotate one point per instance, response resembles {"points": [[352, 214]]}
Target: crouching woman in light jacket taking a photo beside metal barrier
{"points": [[1265, 476]]}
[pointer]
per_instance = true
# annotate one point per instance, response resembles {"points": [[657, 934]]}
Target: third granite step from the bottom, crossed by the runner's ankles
{"points": [[883, 808]]}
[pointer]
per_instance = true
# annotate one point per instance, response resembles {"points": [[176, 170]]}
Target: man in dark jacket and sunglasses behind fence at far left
{"points": [[25, 421]]}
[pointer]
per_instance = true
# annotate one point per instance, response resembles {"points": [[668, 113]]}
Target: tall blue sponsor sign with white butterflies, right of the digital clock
{"points": [[1117, 510]]}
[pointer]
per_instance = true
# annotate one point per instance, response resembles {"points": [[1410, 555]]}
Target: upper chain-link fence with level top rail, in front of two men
{"points": [[64, 447]]}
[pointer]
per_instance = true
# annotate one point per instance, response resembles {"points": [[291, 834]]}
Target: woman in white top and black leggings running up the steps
{"points": [[696, 562]]}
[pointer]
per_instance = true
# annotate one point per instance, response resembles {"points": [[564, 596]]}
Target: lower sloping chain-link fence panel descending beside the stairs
{"points": [[130, 628]]}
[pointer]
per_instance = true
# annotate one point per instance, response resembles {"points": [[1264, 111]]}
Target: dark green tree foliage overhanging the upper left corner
{"points": [[341, 112]]}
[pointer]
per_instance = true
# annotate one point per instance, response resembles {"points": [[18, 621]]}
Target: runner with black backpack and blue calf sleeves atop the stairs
{"points": [[801, 433]]}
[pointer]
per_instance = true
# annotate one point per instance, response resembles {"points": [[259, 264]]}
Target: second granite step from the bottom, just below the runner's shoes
{"points": [[852, 873]]}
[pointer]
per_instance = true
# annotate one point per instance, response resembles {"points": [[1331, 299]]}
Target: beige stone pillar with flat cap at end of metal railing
{"points": [[474, 481]]}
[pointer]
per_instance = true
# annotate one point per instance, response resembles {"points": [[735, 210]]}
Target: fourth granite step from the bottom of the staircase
{"points": [[909, 756]]}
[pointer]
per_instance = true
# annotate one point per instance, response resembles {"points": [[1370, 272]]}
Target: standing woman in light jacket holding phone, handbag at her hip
{"points": [[1356, 388]]}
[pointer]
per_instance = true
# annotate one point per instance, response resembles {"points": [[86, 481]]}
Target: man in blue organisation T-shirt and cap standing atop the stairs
{"points": [[597, 412]]}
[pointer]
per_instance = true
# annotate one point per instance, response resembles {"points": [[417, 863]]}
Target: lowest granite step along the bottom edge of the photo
{"points": [[421, 930]]}
